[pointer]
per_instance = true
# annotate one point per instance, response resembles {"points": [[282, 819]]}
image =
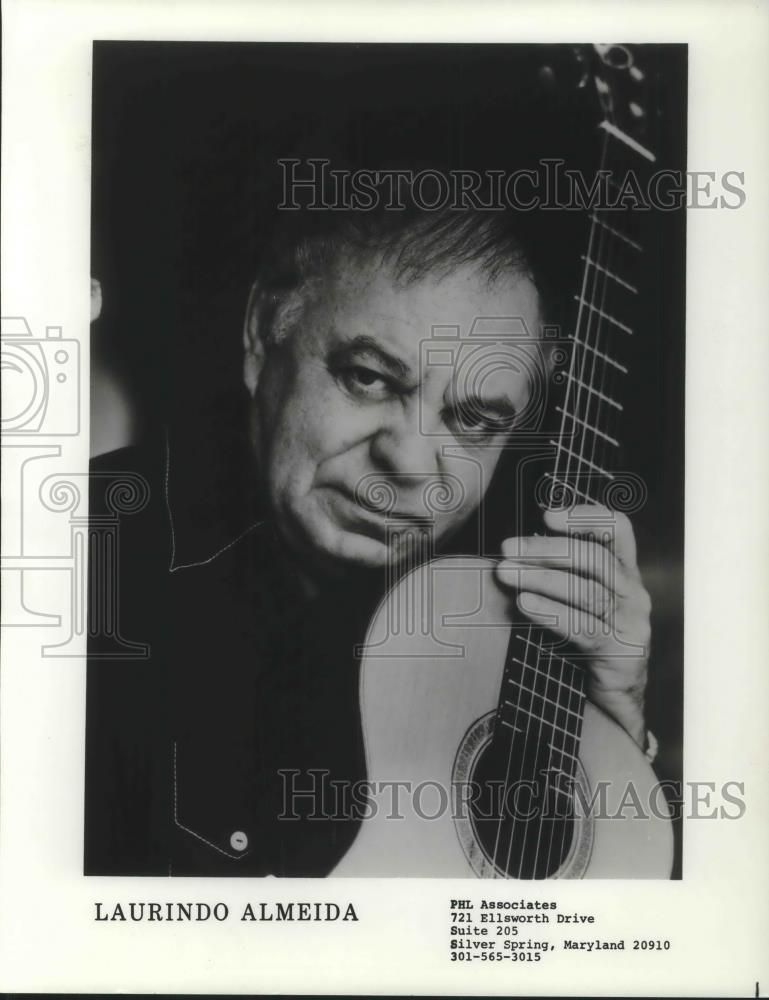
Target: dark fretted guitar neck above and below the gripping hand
{"points": [[539, 685]]}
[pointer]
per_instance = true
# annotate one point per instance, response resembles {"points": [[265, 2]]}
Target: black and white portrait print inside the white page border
{"points": [[391, 362]]}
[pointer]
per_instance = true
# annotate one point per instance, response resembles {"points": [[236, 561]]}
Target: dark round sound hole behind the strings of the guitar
{"points": [[521, 810]]}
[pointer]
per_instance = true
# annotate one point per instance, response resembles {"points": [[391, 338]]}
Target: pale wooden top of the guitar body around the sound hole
{"points": [[431, 674]]}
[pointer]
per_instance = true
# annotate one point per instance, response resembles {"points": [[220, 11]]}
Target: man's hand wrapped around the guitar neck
{"points": [[590, 592]]}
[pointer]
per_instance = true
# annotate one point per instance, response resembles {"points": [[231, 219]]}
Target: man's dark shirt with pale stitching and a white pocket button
{"points": [[247, 689]]}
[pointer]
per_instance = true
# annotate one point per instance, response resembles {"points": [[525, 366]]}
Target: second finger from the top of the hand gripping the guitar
{"points": [[567, 553]]}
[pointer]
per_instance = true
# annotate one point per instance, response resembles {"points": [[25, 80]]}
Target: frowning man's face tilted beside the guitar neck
{"points": [[362, 401]]}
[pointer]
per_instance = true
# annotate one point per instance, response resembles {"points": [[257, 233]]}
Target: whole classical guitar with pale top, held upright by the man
{"points": [[508, 770]]}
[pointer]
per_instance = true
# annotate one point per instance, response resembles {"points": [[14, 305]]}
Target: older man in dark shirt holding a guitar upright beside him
{"points": [[251, 616]]}
